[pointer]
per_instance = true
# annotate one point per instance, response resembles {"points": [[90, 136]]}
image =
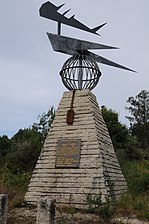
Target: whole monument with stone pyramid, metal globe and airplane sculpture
{"points": [[78, 157]]}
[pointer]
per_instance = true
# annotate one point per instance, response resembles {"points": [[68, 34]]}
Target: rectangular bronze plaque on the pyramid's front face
{"points": [[68, 153]]}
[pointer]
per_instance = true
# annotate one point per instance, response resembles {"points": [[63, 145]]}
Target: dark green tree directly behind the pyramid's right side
{"points": [[124, 143]]}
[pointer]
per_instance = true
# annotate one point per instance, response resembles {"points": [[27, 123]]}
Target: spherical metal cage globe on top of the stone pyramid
{"points": [[80, 72]]}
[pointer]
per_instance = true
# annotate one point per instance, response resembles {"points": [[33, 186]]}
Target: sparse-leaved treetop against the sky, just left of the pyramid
{"points": [[44, 122]]}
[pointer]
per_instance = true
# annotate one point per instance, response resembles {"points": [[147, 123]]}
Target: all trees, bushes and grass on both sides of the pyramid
{"points": [[19, 154]]}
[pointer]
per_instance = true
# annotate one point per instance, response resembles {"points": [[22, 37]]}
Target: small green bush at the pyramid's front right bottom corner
{"points": [[96, 205]]}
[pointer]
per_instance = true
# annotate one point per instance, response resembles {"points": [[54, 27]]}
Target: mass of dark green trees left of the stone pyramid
{"points": [[20, 153]]}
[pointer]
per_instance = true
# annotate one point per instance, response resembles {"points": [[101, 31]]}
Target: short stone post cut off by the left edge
{"points": [[3, 208]]}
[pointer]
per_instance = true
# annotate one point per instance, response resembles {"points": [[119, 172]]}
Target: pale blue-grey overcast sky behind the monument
{"points": [[29, 69]]}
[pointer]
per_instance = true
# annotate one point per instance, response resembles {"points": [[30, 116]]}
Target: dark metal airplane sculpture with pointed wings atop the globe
{"points": [[69, 45]]}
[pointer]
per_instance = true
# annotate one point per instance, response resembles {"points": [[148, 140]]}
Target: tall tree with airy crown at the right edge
{"points": [[139, 119]]}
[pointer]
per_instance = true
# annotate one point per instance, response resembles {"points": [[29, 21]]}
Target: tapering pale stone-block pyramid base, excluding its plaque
{"points": [[99, 170]]}
